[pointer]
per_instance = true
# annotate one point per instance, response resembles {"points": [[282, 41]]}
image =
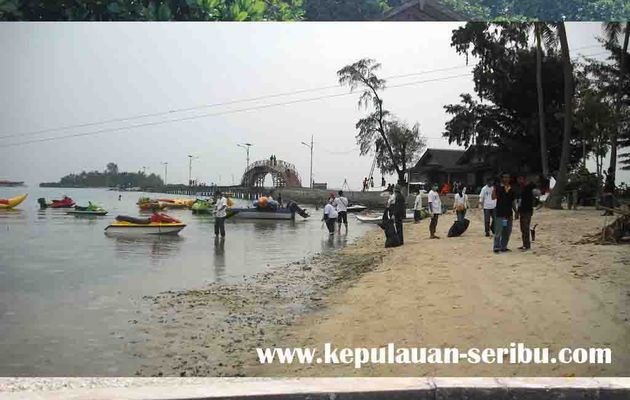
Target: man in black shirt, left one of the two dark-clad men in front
{"points": [[505, 196]]}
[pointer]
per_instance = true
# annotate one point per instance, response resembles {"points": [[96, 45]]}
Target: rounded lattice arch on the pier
{"points": [[283, 174]]}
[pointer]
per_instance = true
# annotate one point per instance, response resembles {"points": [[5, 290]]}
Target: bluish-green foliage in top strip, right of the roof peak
{"points": [[542, 10]]}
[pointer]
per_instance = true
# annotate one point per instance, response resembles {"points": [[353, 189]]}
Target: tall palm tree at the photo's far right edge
{"points": [[613, 31]]}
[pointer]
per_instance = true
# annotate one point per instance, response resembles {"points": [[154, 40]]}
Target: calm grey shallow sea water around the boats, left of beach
{"points": [[62, 279]]}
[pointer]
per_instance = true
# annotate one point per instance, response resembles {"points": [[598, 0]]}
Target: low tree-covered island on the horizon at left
{"points": [[110, 178]]}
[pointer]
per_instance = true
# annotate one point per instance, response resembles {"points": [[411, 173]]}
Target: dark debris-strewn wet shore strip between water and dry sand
{"points": [[213, 331]]}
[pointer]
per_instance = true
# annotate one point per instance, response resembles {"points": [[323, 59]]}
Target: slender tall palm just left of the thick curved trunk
{"points": [[543, 32]]}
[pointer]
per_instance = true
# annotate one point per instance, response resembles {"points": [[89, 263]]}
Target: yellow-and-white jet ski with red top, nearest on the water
{"points": [[157, 224]]}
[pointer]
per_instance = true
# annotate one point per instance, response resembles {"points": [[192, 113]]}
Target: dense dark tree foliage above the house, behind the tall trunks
{"points": [[505, 119]]}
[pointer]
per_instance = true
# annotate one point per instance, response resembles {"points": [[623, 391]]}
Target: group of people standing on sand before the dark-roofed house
{"points": [[502, 201]]}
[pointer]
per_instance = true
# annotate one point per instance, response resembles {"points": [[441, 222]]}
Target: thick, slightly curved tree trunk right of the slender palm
{"points": [[555, 199]]}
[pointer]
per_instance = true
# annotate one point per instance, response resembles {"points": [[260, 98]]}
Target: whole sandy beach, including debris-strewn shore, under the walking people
{"points": [[452, 292]]}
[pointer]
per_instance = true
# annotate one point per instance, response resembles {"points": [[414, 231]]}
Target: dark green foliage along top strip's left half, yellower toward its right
{"points": [[150, 10]]}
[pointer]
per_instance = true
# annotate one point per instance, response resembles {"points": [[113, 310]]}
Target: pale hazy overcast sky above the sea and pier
{"points": [[279, 80]]}
